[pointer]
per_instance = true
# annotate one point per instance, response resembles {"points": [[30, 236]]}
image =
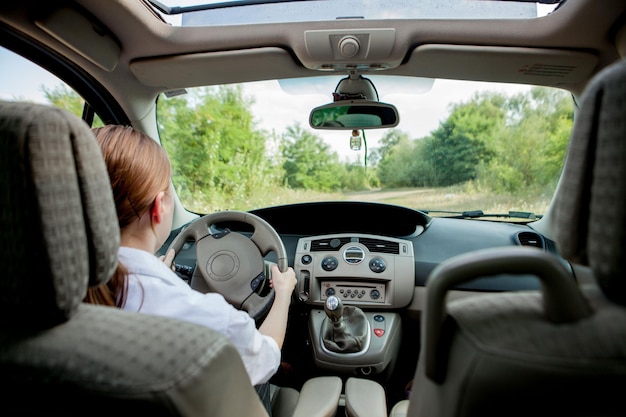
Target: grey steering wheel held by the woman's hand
{"points": [[233, 264]]}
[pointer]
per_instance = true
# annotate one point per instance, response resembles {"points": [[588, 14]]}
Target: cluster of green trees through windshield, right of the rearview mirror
{"points": [[504, 143]]}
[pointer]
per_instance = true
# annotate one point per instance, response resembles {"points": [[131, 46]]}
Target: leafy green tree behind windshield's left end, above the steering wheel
{"points": [[218, 156]]}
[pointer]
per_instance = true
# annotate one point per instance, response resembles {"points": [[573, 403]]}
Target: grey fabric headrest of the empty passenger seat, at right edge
{"points": [[590, 226]]}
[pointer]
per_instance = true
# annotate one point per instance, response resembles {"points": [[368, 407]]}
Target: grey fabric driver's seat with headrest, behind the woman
{"points": [[59, 234]]}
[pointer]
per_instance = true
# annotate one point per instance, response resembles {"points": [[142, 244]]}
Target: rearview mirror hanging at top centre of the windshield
{"points": [[354, 114]]}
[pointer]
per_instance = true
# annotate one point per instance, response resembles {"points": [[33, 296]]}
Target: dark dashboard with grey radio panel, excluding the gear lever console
{"points": [[375, 254]]}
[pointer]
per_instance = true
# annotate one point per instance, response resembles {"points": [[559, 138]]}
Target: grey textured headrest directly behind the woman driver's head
{"points": [[58, 226]]}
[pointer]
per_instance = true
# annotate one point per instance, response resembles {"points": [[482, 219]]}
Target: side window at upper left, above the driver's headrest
{"points": [[23, 80]]}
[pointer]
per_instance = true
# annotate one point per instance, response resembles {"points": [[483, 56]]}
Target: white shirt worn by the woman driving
{"points": [[154, 289]]}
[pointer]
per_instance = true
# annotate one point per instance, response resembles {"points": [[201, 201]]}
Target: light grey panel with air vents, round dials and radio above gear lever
{"points": [[369, 271]]}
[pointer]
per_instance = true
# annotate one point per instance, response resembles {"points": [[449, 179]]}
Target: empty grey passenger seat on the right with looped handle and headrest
{"points": [[560, 351]]}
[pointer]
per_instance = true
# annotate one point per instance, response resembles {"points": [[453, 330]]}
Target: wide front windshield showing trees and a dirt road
{"points": [[466, 149]]}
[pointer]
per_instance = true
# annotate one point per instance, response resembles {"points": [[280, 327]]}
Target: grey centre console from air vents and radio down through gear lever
{"points": [[368, 276]]}
